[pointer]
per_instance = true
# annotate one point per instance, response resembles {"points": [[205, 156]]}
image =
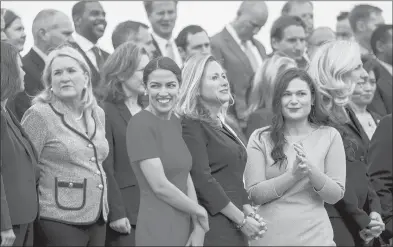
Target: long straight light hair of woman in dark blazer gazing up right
{"points": [[189, 103]]}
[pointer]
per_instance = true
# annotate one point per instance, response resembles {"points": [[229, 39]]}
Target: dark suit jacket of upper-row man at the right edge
{"points": [[382, 101]]}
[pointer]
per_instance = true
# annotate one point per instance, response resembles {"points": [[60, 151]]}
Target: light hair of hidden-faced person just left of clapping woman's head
{"points": [[261, 94]]}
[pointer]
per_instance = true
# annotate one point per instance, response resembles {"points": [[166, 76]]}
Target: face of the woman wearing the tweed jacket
{"points": [[68, 78]]}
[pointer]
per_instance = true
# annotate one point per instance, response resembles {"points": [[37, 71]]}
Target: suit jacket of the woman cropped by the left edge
{"points": [[19, 200]]}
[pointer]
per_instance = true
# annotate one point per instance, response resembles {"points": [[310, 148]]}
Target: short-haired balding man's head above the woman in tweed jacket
{"points": [[51, 28]]}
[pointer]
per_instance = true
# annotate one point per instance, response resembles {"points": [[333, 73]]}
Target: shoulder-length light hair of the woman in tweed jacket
{"points": [[47, 96]]}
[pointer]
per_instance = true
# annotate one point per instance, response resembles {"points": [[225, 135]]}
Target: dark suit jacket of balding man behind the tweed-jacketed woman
{"points": [[33, 65]]}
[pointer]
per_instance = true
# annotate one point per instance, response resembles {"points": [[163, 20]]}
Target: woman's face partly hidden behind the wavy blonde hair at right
{"points": [[364, 90]]}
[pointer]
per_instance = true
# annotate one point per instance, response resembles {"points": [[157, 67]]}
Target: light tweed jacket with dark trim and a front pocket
{"points": [[72, 186]]}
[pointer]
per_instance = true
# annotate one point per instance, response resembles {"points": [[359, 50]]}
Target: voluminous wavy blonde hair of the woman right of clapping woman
{"points": [[330, 63]]}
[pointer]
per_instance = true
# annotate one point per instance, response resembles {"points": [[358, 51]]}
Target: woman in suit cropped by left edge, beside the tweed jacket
{"points": [[19, 173]]}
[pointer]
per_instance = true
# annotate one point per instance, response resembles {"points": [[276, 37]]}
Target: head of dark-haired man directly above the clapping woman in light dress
{"points": [[288, 37]]}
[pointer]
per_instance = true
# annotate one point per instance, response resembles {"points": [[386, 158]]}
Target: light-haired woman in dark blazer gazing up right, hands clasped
{"points": [[218, 155]]}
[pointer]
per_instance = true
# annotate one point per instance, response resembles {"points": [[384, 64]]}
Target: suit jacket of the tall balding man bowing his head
{"points": [[239, 71]]}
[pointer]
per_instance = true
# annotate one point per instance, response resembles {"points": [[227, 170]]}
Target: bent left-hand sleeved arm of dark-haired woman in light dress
{"points": [[260, 189]]}
